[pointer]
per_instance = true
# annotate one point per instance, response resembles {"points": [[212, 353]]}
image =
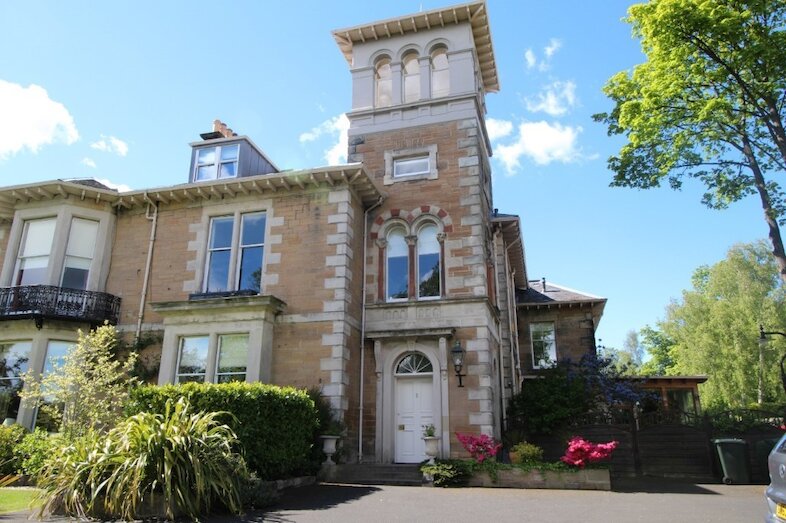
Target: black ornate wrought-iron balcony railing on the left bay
{"points": [[42, 302]]}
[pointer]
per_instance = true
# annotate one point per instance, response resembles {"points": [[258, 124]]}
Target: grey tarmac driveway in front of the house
{"points": [[649, 501]]}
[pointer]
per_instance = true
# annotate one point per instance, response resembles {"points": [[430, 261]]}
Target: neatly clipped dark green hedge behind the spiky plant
{"points": [[275, 425]]}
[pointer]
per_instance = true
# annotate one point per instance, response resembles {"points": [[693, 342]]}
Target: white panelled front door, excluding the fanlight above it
{"points": [[414, 409]]}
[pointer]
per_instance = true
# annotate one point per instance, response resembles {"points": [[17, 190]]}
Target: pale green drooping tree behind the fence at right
{"points": [[713, 329]]}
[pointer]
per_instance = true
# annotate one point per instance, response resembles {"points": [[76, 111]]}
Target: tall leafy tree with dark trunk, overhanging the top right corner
{"points": [[708, 103]]}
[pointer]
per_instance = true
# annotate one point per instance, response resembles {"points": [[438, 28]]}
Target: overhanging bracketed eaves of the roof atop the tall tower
{"points": [[474, 13]]}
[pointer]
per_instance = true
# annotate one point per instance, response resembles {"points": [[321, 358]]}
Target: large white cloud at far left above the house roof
{"points": [[31, 119]]}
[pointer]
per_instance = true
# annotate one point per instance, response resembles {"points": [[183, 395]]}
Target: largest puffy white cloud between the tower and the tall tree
{"points": [[543, 143]]}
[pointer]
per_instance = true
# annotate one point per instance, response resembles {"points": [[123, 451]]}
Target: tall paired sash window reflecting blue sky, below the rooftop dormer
{"points": [[235, 253]]}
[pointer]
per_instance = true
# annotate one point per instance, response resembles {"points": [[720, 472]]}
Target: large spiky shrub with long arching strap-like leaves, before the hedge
{"points": [[184, 457]]}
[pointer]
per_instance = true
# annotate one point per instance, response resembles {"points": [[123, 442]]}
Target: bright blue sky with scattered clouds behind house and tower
{"points": [[117, 90]]}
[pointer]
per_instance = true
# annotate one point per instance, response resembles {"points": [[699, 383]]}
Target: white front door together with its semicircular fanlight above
{"points": [[414, 405]]}
